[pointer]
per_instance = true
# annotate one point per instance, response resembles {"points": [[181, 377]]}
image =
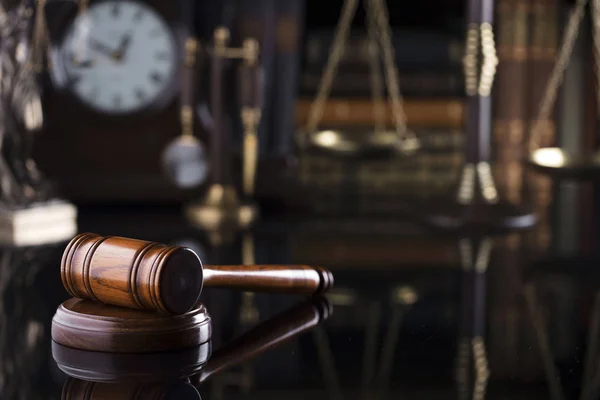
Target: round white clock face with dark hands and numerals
{"points": [[118, 57]]}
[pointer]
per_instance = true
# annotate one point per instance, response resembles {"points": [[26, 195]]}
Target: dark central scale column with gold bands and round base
{"points": [[478, 205]]}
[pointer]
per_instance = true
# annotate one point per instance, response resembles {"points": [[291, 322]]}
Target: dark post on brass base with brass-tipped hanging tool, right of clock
{"points": [[221, 210]]}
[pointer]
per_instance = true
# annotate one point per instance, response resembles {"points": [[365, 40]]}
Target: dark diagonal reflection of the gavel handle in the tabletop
{"points": [[266, 336]]}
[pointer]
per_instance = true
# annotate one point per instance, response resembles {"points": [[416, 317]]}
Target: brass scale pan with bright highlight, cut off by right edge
{"points": [[559, 163]]}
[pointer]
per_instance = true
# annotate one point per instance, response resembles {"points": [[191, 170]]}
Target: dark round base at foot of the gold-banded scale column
{"points": [[450, 215]]}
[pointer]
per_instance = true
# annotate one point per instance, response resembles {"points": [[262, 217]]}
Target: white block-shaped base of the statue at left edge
{"points": [[37, 224]]}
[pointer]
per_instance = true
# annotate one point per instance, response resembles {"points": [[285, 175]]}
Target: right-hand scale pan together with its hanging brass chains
{"points": [[554, 161]]}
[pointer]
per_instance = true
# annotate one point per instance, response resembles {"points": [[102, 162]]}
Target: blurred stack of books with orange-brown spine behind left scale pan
{"points": [[429, 65]]}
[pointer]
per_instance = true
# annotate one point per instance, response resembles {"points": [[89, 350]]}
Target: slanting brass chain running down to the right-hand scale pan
{"points": [[557, 75]]}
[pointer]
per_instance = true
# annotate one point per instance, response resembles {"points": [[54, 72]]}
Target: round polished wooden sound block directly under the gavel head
{"points": [[93, 326]]}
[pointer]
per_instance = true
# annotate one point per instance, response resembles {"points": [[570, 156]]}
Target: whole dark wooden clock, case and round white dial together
{"points": [[110, 97]]}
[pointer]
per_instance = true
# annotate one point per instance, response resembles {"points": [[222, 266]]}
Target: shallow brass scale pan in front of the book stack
{"points": [[361, 142]]}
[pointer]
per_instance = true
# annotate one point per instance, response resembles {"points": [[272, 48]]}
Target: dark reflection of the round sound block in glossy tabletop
{"points": [[97, 366]]}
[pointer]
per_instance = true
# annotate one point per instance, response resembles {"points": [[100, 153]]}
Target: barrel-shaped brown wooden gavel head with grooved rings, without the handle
{"points": [[132, 273]]}
